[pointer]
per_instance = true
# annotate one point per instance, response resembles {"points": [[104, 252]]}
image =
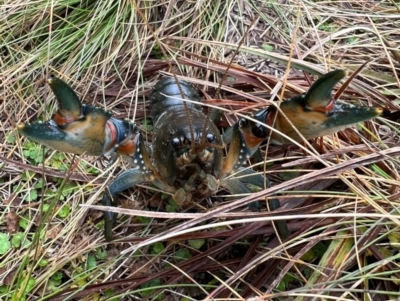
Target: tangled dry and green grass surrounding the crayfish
{"points": [[341, 207]]}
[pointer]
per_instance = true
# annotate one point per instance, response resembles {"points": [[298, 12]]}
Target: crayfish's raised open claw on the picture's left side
{"points": [[77, 128]]}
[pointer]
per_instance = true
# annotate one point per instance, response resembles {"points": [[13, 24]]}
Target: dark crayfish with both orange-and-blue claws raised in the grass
{"points": [[186, 155]]}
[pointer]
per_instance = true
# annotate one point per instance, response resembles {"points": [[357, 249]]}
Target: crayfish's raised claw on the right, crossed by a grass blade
{"points": [[316, 113]]}
